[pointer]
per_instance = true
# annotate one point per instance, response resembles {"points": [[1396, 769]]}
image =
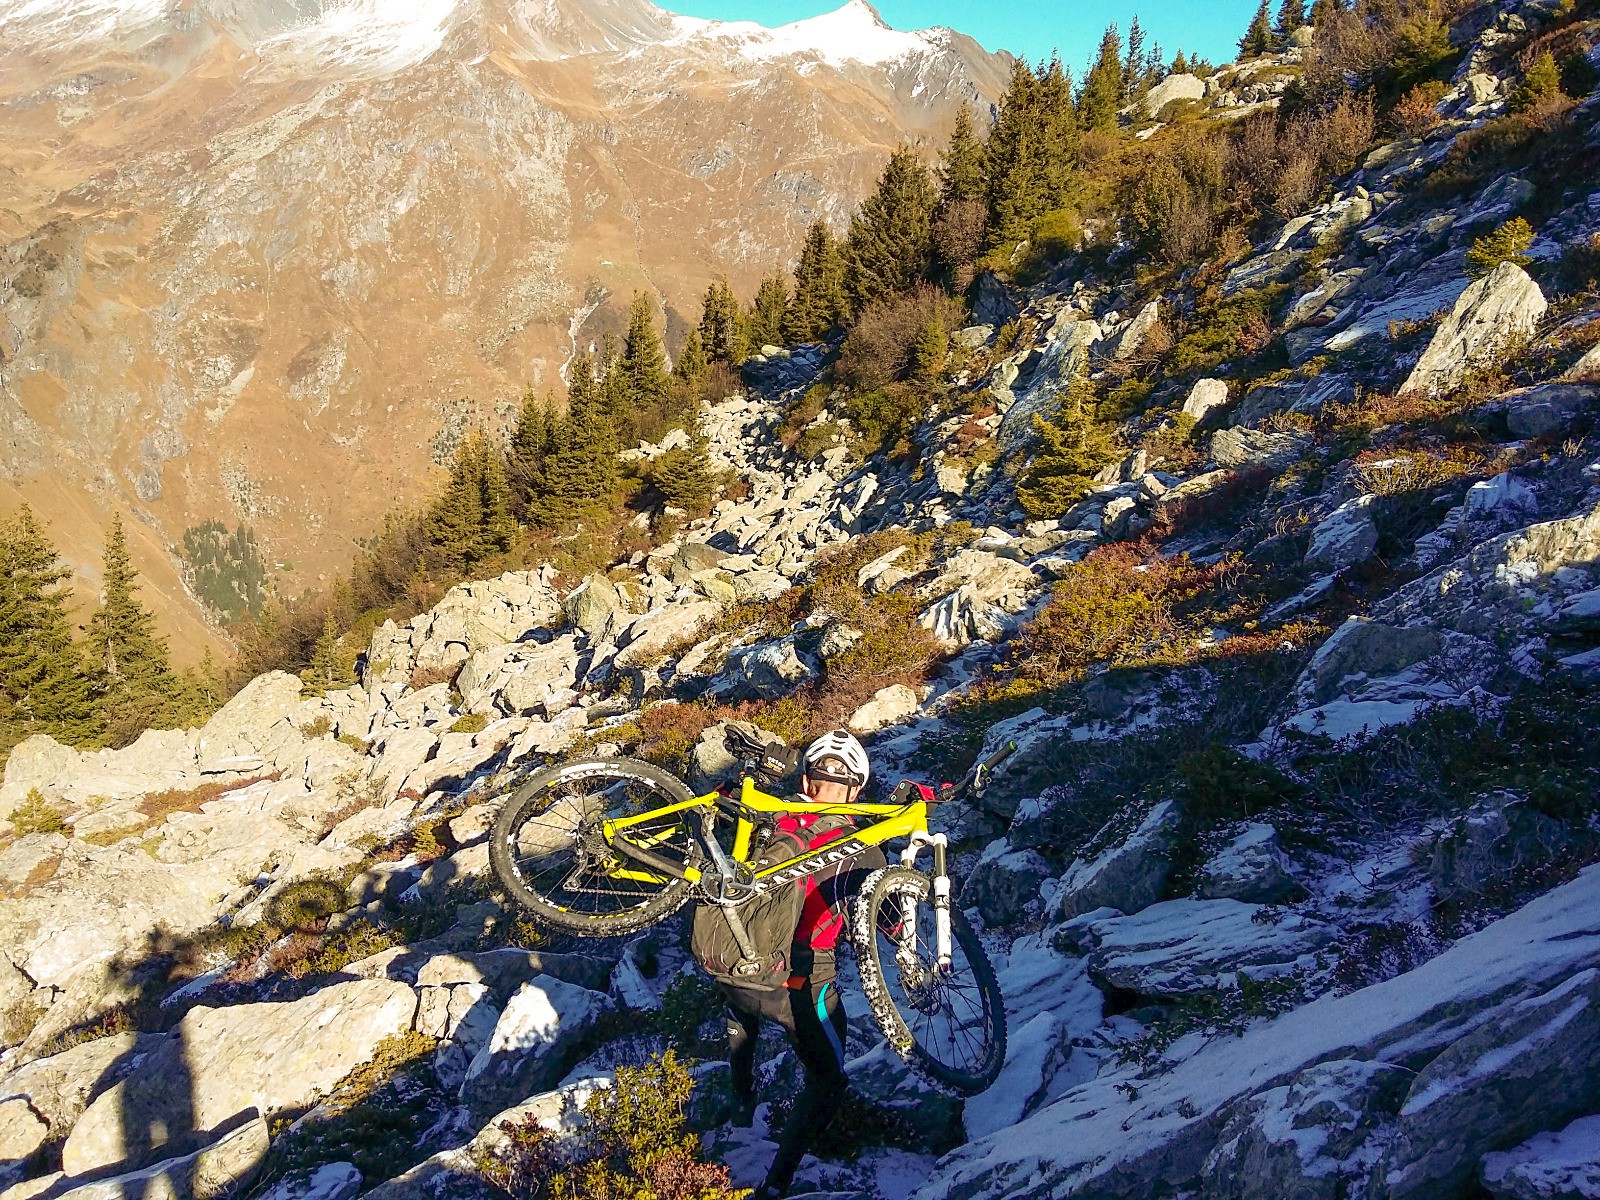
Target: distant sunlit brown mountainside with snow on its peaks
{"points": [[279, 257]]}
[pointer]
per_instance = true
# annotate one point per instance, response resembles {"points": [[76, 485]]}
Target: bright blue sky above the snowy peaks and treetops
{"points": [[1028, 28]]}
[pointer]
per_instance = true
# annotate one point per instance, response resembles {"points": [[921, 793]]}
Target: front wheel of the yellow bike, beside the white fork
{"points": [[948, 1025]]}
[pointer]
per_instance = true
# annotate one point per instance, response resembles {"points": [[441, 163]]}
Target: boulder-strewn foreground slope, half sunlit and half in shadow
{"points": [[1345, 950]]}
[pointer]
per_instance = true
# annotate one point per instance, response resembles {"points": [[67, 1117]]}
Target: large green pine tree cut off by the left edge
{"points": [[44, 687]]}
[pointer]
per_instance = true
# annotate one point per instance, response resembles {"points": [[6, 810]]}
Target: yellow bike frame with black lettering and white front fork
{"points": [[895, 820]]}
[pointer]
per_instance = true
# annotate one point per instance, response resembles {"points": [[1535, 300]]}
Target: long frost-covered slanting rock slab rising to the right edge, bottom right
{"points": [[1098, 1143]]}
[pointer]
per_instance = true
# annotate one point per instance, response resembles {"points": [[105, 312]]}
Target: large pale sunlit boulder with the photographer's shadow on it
{"points": [[222, 1063]]}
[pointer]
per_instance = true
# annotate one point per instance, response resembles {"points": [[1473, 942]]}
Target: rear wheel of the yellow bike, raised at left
{"points": [[551, 854]]}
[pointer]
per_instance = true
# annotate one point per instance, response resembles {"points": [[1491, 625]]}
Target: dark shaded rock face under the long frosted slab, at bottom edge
{"points": [[1305, 1140]]}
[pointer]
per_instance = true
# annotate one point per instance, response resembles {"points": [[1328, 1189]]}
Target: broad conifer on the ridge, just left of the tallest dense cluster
{"points": [[890, 244]]}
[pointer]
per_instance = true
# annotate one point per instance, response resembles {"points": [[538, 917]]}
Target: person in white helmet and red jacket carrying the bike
{"points": [[807, 1006]]}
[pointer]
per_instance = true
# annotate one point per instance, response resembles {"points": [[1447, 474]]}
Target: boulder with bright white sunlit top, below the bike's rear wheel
{"points": [[534, 1044]]}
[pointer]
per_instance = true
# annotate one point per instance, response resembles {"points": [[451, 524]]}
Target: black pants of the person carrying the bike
{"points": [[815, 1023]]}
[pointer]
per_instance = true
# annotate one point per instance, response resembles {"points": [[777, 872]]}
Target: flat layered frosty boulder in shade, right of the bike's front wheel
{"points": [[1185, 946]]}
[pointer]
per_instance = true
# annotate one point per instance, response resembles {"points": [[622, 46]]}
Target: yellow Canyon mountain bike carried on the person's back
{"points": [[606, 847]]}
